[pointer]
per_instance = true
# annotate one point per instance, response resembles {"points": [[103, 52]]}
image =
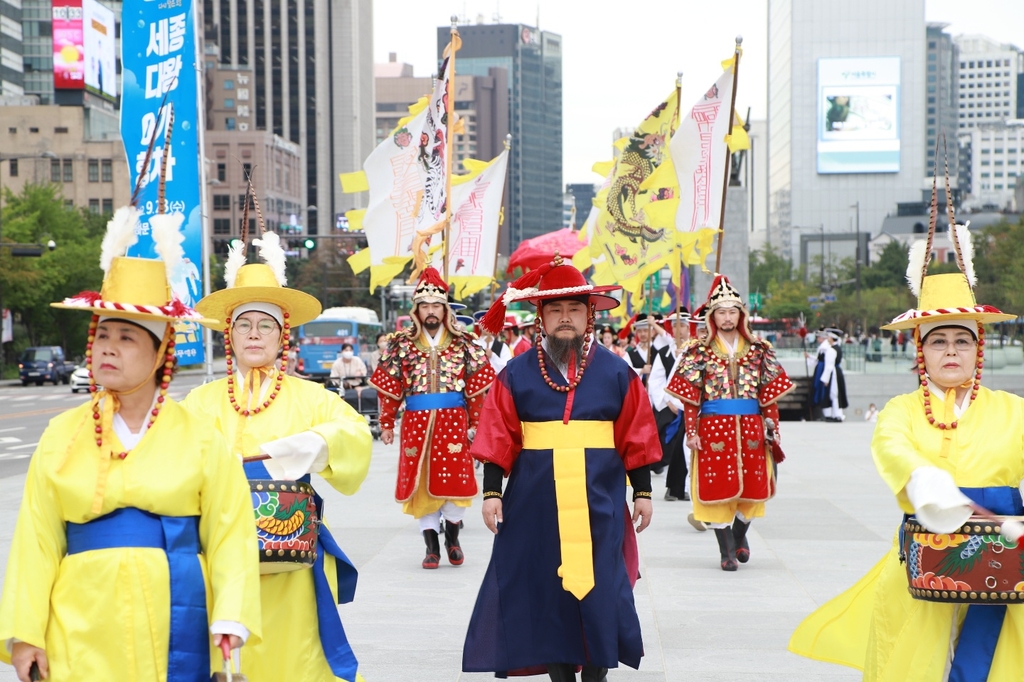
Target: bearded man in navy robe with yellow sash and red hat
{"points": [[566, 422]]}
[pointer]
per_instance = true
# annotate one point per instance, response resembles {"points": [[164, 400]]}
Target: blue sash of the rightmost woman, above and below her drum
{"points": [[976, 648]]}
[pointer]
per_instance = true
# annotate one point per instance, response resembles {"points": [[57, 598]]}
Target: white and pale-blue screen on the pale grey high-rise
{"points": [[859, 105]]}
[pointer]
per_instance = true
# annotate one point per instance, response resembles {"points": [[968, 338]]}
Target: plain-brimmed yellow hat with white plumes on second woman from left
{"points": [[259, 283]]}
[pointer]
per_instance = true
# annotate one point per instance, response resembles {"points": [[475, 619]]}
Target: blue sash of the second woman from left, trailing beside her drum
{"points": [[333, 640]]}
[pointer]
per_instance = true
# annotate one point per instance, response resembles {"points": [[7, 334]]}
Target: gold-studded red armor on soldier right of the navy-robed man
{"points": [[734, 463]]}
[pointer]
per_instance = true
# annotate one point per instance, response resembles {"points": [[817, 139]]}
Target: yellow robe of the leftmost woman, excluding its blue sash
{"points": [[105, 615]]}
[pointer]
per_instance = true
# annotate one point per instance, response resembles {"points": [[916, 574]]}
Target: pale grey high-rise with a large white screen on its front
{"points": [[846, 105]]}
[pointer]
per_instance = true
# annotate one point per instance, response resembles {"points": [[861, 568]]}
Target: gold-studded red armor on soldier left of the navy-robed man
{"points": [[409, 367]]}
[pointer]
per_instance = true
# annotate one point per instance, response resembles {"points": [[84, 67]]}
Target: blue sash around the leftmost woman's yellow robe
{"points": [[189, 650]]}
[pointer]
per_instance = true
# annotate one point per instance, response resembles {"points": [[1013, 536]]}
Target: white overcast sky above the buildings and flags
{"points": [[620, 60]]}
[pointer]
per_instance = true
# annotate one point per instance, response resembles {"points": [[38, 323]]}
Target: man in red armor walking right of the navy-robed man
{"points": [[730, 385]]}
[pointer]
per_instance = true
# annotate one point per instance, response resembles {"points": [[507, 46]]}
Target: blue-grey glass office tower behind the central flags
{"points": [[533, 60]]}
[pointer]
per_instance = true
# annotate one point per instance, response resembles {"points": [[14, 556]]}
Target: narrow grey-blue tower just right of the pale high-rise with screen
{"points": [[943, 106]]}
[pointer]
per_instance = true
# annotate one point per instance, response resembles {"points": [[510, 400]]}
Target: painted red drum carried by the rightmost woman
{"points": [[973, 566]]}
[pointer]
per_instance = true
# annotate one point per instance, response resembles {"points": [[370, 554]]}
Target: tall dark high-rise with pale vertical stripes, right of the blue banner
{"points": [[313, 87]]}
